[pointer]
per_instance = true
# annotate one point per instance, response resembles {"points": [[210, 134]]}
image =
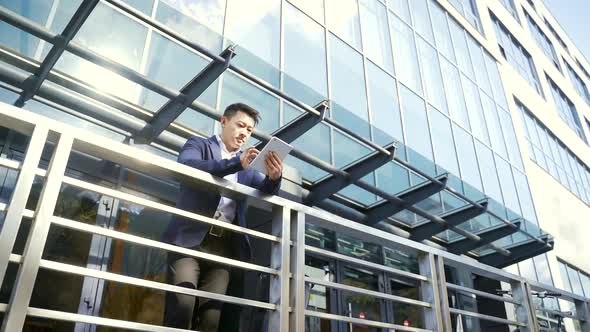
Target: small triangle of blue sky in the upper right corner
{"points": [[573, 15]]}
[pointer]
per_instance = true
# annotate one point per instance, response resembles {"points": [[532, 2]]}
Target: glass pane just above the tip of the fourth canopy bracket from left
{"points": [[385, 115]]}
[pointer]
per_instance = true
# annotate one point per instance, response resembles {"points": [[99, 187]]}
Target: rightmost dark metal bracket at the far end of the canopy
{"points": [[519, 252]]}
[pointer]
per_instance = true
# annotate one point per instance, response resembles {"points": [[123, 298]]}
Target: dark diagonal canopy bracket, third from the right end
{"points": [[452, 218]]}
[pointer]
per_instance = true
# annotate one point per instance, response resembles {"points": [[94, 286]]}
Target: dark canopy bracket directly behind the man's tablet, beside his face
{"points": [[300, 125]]}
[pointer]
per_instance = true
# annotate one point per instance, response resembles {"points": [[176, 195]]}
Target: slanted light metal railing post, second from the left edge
{"points": [[27, 273]]}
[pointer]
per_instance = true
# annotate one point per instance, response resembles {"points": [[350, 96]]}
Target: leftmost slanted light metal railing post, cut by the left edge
{"points": [[18, 201]]}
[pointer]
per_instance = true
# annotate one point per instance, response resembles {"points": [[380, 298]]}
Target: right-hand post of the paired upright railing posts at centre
{"points": [[299, 296]]}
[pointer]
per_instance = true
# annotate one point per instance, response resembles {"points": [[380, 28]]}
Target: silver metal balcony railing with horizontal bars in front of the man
{"points": [[286, 305]]}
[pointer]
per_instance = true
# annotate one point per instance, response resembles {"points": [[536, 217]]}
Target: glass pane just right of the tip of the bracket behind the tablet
{"points": [[349, 106]]}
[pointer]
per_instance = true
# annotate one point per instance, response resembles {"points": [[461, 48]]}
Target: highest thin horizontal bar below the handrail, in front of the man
{"points": [[166, 208]]}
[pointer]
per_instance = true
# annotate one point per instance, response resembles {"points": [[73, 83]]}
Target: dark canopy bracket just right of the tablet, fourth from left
{"points": [[334, 183]]}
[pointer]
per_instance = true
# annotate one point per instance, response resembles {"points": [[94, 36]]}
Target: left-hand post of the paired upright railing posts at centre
{"points": [[280, 260]]}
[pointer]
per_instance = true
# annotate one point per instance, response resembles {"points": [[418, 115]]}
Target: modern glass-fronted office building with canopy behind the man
{"points": [[470, 100]]}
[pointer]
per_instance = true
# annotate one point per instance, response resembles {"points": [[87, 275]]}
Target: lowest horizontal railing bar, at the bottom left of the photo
{"points": [[78, 318]]}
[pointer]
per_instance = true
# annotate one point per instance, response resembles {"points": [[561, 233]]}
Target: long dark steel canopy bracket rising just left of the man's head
{"points": [[188, 94]]}
